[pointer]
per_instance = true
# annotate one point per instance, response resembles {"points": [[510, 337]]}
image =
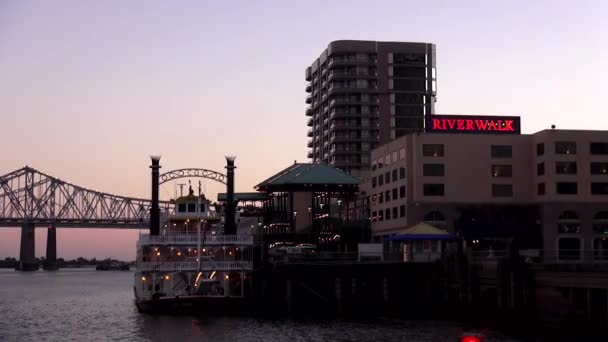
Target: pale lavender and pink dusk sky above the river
{"points": [[90, 89]]}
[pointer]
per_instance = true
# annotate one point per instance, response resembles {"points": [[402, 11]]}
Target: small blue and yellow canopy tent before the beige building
{"points": [[421, 242]]}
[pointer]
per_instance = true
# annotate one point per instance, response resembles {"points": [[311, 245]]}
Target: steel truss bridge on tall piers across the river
{"points": [[30, 198]]}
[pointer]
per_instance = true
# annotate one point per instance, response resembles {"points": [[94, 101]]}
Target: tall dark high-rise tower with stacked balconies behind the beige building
{"points": [[366, 93]]}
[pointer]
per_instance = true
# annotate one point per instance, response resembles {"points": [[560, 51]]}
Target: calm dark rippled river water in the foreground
{"points": [[88, 305]]}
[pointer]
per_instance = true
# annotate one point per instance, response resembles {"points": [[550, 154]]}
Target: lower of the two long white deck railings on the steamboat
{"points": [[223, 265]]}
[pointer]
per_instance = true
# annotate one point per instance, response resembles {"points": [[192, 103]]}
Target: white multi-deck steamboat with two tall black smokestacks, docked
{"points": [[191, 260]]}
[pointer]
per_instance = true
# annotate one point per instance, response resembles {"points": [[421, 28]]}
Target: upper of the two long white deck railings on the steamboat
{"points": [[192, 239]]}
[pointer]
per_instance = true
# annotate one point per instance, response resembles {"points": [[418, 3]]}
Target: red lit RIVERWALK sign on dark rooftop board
{"points": [[473, 124]]}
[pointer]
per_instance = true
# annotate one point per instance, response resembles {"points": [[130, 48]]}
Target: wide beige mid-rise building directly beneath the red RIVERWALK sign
{"points": [[549, 188]]}
